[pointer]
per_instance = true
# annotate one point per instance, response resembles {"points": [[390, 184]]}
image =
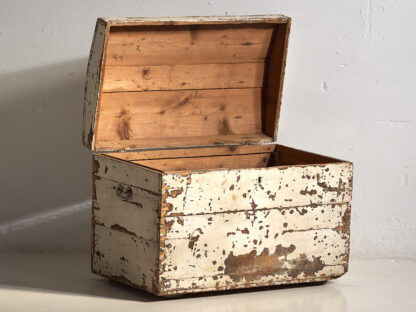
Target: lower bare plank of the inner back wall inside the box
{"points": [[206, 163]]}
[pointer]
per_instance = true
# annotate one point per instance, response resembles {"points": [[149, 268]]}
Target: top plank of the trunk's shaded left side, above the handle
{"points": [[126, 173]]}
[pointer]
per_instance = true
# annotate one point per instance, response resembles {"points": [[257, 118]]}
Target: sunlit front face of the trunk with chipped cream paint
{"points": [[300, 233]]}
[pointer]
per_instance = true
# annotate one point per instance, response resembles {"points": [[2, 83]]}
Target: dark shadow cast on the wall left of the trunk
{"points": [[45, 172]]}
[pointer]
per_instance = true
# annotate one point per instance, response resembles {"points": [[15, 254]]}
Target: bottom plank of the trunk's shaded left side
{"points": [[125, 258]]}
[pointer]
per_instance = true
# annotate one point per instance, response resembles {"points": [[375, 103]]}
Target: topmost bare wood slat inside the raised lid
{"points": [[188, 45]]}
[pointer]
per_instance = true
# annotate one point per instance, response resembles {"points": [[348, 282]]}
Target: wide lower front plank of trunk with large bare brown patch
{"points": [[277, 244]]}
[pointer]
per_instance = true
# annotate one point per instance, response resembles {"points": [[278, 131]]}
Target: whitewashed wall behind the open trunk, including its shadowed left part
{"points": [[349, 93]]}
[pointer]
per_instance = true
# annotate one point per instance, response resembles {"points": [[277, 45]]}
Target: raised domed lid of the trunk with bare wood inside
{"points": [[155, 83]]}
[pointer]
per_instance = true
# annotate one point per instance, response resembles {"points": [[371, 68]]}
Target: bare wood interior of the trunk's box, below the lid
{"points": [[203, 159]]}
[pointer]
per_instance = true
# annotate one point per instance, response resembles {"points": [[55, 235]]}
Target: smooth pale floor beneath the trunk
{"points": [[63, 282]]}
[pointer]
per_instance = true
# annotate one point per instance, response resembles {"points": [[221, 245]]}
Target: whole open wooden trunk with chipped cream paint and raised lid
{"points": [[191, 192]]}
